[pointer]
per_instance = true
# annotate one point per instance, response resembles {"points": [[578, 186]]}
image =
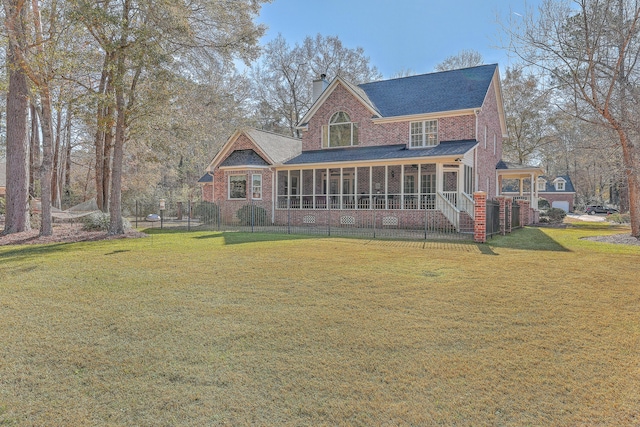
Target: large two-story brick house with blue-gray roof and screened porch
{"points": [[412, 148]]}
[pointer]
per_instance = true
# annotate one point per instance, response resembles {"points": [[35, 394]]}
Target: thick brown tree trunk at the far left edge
{"points": [[17, 197]]}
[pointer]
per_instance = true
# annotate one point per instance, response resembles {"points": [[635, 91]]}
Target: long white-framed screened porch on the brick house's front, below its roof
{"points": [[390, 187]]}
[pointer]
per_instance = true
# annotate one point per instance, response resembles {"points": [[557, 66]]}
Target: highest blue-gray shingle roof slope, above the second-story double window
{"points": [[431, 93]]}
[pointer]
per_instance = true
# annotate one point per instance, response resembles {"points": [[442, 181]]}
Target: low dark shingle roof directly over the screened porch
{"points": [[384, 152]]}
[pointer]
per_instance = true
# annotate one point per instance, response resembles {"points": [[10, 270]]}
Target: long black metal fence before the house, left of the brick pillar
{"points": [[255, 218]]}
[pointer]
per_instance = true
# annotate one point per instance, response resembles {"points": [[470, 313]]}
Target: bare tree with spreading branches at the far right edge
{"points": [[589, 49]]}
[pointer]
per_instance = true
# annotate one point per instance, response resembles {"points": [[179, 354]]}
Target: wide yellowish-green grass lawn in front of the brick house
{"points": [[202, 328]]}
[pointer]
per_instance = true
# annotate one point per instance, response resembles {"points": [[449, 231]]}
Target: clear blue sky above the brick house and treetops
{"points": [[397, 34]]}
